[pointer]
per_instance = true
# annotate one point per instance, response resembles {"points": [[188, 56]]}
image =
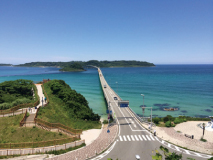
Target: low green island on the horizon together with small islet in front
{"points": [[80, 65]]}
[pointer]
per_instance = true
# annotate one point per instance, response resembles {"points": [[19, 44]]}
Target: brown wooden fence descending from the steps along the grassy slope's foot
{"points": [[60, 127]]}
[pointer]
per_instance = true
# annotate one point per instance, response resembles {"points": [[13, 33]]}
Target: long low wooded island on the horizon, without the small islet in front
{"points": [[120, 63]]}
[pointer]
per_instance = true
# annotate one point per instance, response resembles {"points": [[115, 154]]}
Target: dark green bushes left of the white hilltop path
{"points": [[13, 93]]}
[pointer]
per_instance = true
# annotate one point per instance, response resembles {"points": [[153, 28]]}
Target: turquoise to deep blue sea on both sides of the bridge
{"points": [[187, 87]]}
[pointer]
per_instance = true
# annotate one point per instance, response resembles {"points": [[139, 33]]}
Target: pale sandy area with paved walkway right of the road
{"points": [[176, 136]]}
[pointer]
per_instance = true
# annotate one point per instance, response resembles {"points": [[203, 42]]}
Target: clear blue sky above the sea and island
{"points": [[161, 32]]}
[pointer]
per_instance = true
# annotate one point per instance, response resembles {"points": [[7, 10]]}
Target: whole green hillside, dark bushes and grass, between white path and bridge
{"points": [[67, 107]]}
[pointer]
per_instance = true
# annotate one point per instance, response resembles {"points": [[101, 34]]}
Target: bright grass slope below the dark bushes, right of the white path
{"points": [[55, 113]]}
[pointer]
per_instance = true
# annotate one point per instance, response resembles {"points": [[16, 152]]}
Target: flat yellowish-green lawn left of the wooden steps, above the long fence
{"points": [[10, 132]]}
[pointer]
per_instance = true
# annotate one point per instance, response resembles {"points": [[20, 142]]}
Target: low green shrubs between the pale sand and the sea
{"points": [[170, 121]]}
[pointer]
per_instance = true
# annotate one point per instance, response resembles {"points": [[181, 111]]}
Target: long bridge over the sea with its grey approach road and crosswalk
{"points": [[133, 139]]}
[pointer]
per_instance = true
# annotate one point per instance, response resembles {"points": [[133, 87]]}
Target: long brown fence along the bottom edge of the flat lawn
{"points": [[37, 144]]}
